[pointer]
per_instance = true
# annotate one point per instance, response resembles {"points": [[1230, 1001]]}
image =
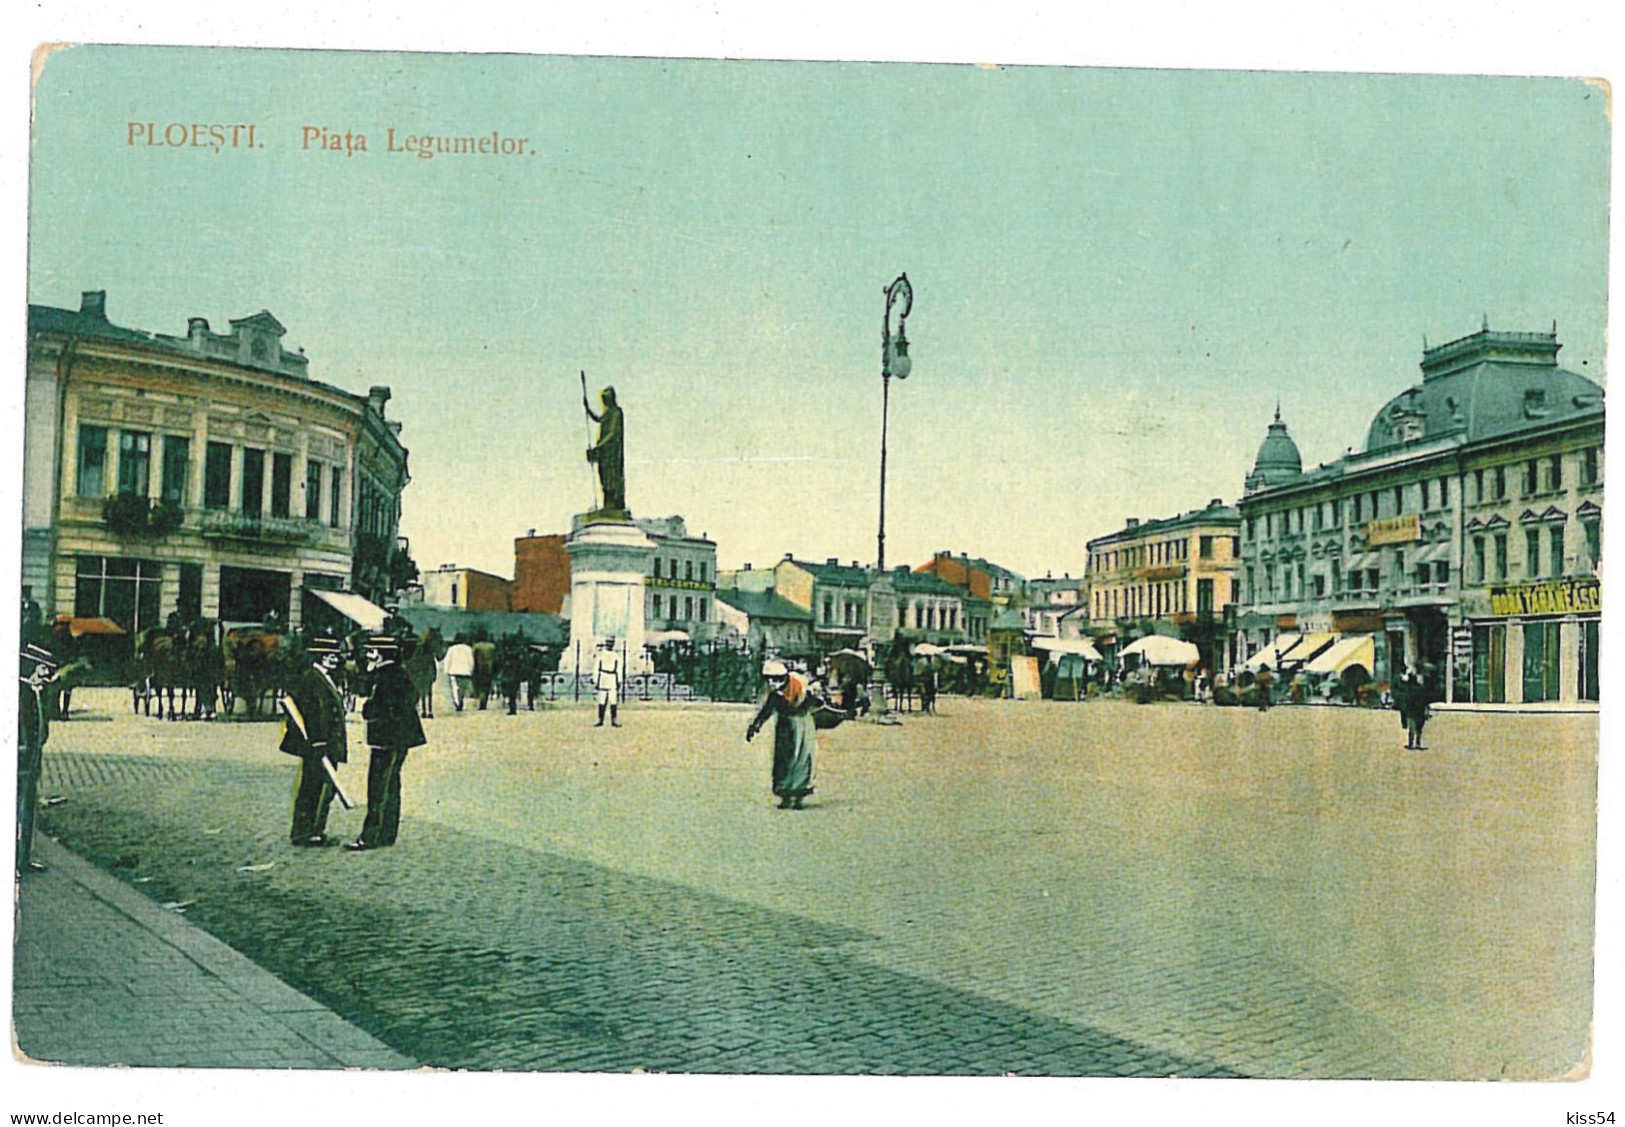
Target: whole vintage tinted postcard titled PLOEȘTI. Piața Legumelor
{"points": [[594, 566]]}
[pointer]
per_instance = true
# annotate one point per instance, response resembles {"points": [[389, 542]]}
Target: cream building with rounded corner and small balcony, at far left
{"points": [[206, 475]]}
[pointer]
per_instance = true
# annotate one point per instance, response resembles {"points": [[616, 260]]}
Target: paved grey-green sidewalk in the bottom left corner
{"points": [[103, 977]]}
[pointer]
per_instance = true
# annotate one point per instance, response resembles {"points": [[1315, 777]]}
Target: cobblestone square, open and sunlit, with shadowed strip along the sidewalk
{"points": [[1044, 889]]}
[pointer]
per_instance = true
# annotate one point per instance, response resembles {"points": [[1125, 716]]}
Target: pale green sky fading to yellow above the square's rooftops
{"points": [[1117, 272]]}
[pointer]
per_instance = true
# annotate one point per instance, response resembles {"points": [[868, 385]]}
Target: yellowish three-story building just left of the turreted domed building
{"points": [[1172, 576]]}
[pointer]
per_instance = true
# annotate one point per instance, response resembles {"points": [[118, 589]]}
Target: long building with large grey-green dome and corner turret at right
{"points": [[1465, 538]]}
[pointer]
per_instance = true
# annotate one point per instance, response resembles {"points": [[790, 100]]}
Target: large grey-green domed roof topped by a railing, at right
{"points": [[1481, 387]]}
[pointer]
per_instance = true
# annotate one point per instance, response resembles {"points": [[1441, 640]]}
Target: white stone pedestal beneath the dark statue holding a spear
{"points": [[609, 563]]}
